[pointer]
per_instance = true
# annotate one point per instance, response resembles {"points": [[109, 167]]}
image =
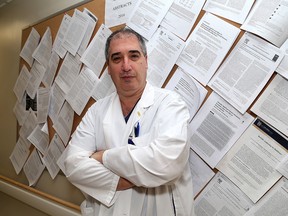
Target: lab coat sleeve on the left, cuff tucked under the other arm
{"points": [[87, 174]]}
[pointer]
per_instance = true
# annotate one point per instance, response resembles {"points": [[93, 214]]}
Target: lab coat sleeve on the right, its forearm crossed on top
{"points": [[163, 158]]}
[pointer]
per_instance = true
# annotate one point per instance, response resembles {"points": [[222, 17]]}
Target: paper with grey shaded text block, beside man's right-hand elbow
{"points": [[215, 128]]}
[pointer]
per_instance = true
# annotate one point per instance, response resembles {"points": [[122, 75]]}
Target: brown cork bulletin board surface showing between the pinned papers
{"points": [[97, 7]]}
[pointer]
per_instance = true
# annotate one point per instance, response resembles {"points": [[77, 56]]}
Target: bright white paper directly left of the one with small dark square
{"points": [[206, 47]]}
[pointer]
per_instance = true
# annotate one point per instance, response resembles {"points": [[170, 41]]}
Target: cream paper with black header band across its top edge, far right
{"points": [[251, 163]]}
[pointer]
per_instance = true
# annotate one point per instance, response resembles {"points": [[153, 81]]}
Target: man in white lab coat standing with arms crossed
{"points": [[129, 154]]}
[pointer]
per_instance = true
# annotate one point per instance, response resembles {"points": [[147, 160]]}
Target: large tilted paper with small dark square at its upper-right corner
{"points": [[246, 70]]}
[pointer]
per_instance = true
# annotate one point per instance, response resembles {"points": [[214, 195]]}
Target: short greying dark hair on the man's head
{"points": [[125, 31]]}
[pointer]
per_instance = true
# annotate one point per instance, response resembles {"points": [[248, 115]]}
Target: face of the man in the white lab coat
{"points": [[127, 65]]}
